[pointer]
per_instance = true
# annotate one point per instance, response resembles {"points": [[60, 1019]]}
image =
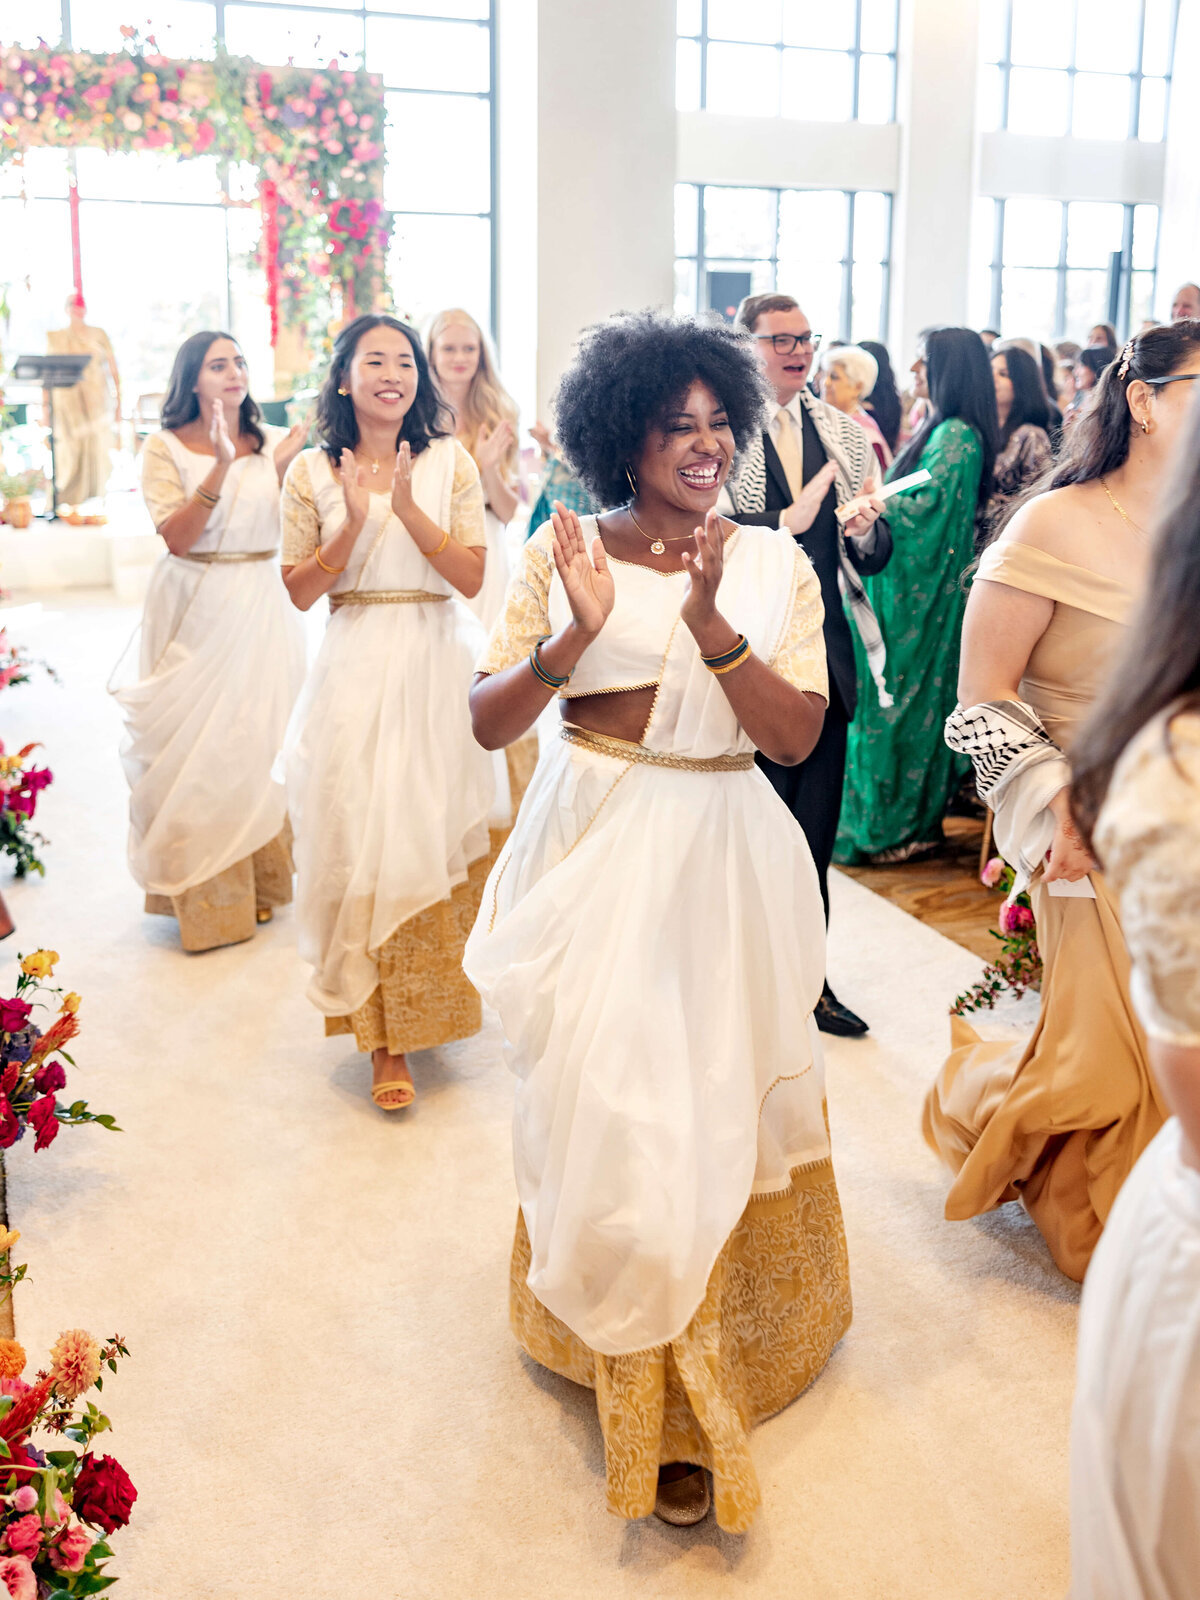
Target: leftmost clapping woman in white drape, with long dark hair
{"points": [[222, 658]]}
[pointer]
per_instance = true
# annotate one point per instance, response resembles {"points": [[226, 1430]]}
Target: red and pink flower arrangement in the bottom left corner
{"points": [[58, 1506]]}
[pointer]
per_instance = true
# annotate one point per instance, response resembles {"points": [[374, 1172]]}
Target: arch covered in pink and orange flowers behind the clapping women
{"points": [[316, 138]]}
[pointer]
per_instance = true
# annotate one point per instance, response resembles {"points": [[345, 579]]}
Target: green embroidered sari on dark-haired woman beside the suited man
{"points": [[900, 772]]}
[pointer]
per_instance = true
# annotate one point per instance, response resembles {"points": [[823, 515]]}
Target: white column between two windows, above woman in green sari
{"points": [[938, 169]]}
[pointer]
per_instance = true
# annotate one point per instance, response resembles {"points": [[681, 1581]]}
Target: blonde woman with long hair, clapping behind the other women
{"points": [[486, 422]]}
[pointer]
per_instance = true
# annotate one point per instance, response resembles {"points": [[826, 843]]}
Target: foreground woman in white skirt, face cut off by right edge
{"points": [[1135, 1457]]}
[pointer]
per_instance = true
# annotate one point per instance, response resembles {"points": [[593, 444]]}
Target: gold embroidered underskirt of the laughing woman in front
{"points": [[778, 1302]]}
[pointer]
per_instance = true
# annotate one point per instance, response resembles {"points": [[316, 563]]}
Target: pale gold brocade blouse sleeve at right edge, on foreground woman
{"points": [[1150, 841]]}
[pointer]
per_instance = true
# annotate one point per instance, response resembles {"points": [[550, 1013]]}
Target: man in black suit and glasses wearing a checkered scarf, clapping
{"points": [[814, 460]]}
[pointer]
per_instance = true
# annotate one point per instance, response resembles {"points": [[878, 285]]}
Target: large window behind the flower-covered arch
{"points": [[170, 247]]}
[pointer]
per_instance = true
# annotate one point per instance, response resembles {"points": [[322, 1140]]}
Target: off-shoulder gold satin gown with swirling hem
{"points": [[1060, 1121]]}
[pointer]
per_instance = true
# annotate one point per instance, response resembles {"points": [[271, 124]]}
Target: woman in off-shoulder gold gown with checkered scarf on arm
{"points": [[1060, 1121]]}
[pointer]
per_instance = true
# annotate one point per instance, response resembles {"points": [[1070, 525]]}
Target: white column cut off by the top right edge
{"points": [[1180, 222]]}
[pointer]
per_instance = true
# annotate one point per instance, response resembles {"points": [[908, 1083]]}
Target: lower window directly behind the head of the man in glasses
{"points": [[826, 247]]}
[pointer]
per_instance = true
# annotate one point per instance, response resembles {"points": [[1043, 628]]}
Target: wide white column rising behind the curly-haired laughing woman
{"points": [[606, 169]]}
